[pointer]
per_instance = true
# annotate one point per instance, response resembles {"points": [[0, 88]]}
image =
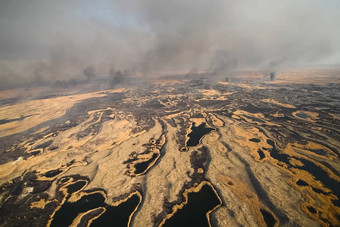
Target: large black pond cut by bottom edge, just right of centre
{"points": [[194, 212]]}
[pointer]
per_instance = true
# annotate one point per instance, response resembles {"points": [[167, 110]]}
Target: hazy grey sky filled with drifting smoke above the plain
{"points": [[58, 39]]}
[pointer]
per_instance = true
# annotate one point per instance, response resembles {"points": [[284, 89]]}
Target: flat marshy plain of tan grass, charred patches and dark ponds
{"points": [[177, 151]]}
